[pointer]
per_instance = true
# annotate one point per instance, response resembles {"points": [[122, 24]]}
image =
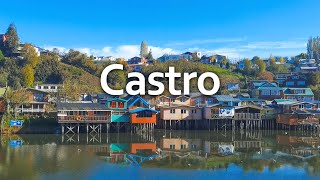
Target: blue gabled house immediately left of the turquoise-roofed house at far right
{"points": [[265, 90]]}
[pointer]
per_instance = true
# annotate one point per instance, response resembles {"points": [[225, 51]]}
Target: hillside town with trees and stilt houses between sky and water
{"points": [[257, 93]]}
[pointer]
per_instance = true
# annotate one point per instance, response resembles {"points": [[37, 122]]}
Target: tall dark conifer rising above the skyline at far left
{"points": [[12, 42]]}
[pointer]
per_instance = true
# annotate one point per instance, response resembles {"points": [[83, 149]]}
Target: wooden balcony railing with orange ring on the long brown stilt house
{"points": [[84, 119]]}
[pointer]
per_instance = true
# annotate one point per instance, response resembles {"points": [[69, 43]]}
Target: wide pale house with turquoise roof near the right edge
{"points": [[301, 94]]}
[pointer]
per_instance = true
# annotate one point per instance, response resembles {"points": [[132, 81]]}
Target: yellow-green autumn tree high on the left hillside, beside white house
{"points": [[30, 54]]}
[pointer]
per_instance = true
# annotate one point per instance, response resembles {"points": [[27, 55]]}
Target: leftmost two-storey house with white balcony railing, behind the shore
{"points": [[36, 102]]}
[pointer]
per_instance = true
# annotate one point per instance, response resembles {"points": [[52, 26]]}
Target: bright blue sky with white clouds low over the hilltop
{"points": [[236, 28]]}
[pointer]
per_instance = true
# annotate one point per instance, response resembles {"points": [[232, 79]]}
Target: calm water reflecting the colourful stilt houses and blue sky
{"points": [[162, 155]]}
